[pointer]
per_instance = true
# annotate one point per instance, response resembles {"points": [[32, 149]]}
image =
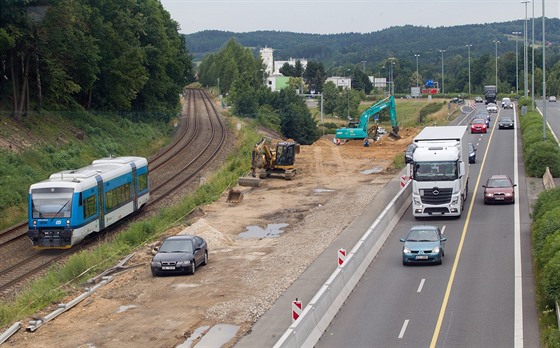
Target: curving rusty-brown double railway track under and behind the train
{"points": [[200, 137]]}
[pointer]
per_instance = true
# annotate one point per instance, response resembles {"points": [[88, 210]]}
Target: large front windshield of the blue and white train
{"points": [[53, 202]]}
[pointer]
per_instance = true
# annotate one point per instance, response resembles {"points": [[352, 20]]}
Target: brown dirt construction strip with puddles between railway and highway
{"points": [[257, 248]]}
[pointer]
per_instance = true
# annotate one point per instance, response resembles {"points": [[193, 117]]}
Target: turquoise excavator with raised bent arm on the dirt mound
{"points": [[361, 129]]}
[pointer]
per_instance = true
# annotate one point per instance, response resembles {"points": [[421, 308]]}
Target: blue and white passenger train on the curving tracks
{"points": [[71, 204]]}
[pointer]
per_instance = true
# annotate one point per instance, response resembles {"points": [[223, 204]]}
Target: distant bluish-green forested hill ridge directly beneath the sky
{"points": [[400, 42]]}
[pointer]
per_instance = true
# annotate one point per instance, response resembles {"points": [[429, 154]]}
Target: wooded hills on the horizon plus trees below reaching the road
{"points": [[392, 52]]}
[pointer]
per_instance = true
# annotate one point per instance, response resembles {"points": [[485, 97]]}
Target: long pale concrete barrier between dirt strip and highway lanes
{"points": [[317, 315]]}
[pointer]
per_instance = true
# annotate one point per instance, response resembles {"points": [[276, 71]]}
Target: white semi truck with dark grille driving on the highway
{"points": [[440, 171]]}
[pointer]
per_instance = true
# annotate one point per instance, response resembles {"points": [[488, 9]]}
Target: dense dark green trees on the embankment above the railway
{"points": [[121, 56]]}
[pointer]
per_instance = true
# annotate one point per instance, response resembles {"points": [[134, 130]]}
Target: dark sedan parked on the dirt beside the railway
{"points": [[179, 254]]}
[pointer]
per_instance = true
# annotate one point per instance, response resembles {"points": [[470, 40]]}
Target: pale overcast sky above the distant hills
{"points": [[344, 16]]}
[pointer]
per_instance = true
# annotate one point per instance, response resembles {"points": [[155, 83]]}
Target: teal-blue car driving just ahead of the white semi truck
{"points": [[423, 244]]}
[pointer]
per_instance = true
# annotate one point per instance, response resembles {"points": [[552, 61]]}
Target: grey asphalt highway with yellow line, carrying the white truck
{"points": [[482, 295]]}
